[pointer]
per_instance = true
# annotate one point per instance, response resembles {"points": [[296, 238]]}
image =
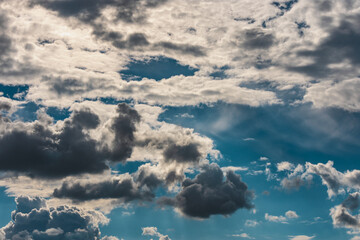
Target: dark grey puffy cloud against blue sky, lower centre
{"points": [[208, 194]]}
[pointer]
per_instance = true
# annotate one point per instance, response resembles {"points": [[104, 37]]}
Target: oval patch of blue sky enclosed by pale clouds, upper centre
{"points": [[156, 68]]}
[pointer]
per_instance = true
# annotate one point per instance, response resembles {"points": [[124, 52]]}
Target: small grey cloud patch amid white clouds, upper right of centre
{"points": [[257, 39]]}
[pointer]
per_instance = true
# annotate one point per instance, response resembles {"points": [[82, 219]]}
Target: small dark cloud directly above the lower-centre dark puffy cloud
{"points": [[182, 154]]}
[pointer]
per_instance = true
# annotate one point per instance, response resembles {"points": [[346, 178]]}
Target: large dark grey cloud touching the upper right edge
{"points": [[339, 46]]}
